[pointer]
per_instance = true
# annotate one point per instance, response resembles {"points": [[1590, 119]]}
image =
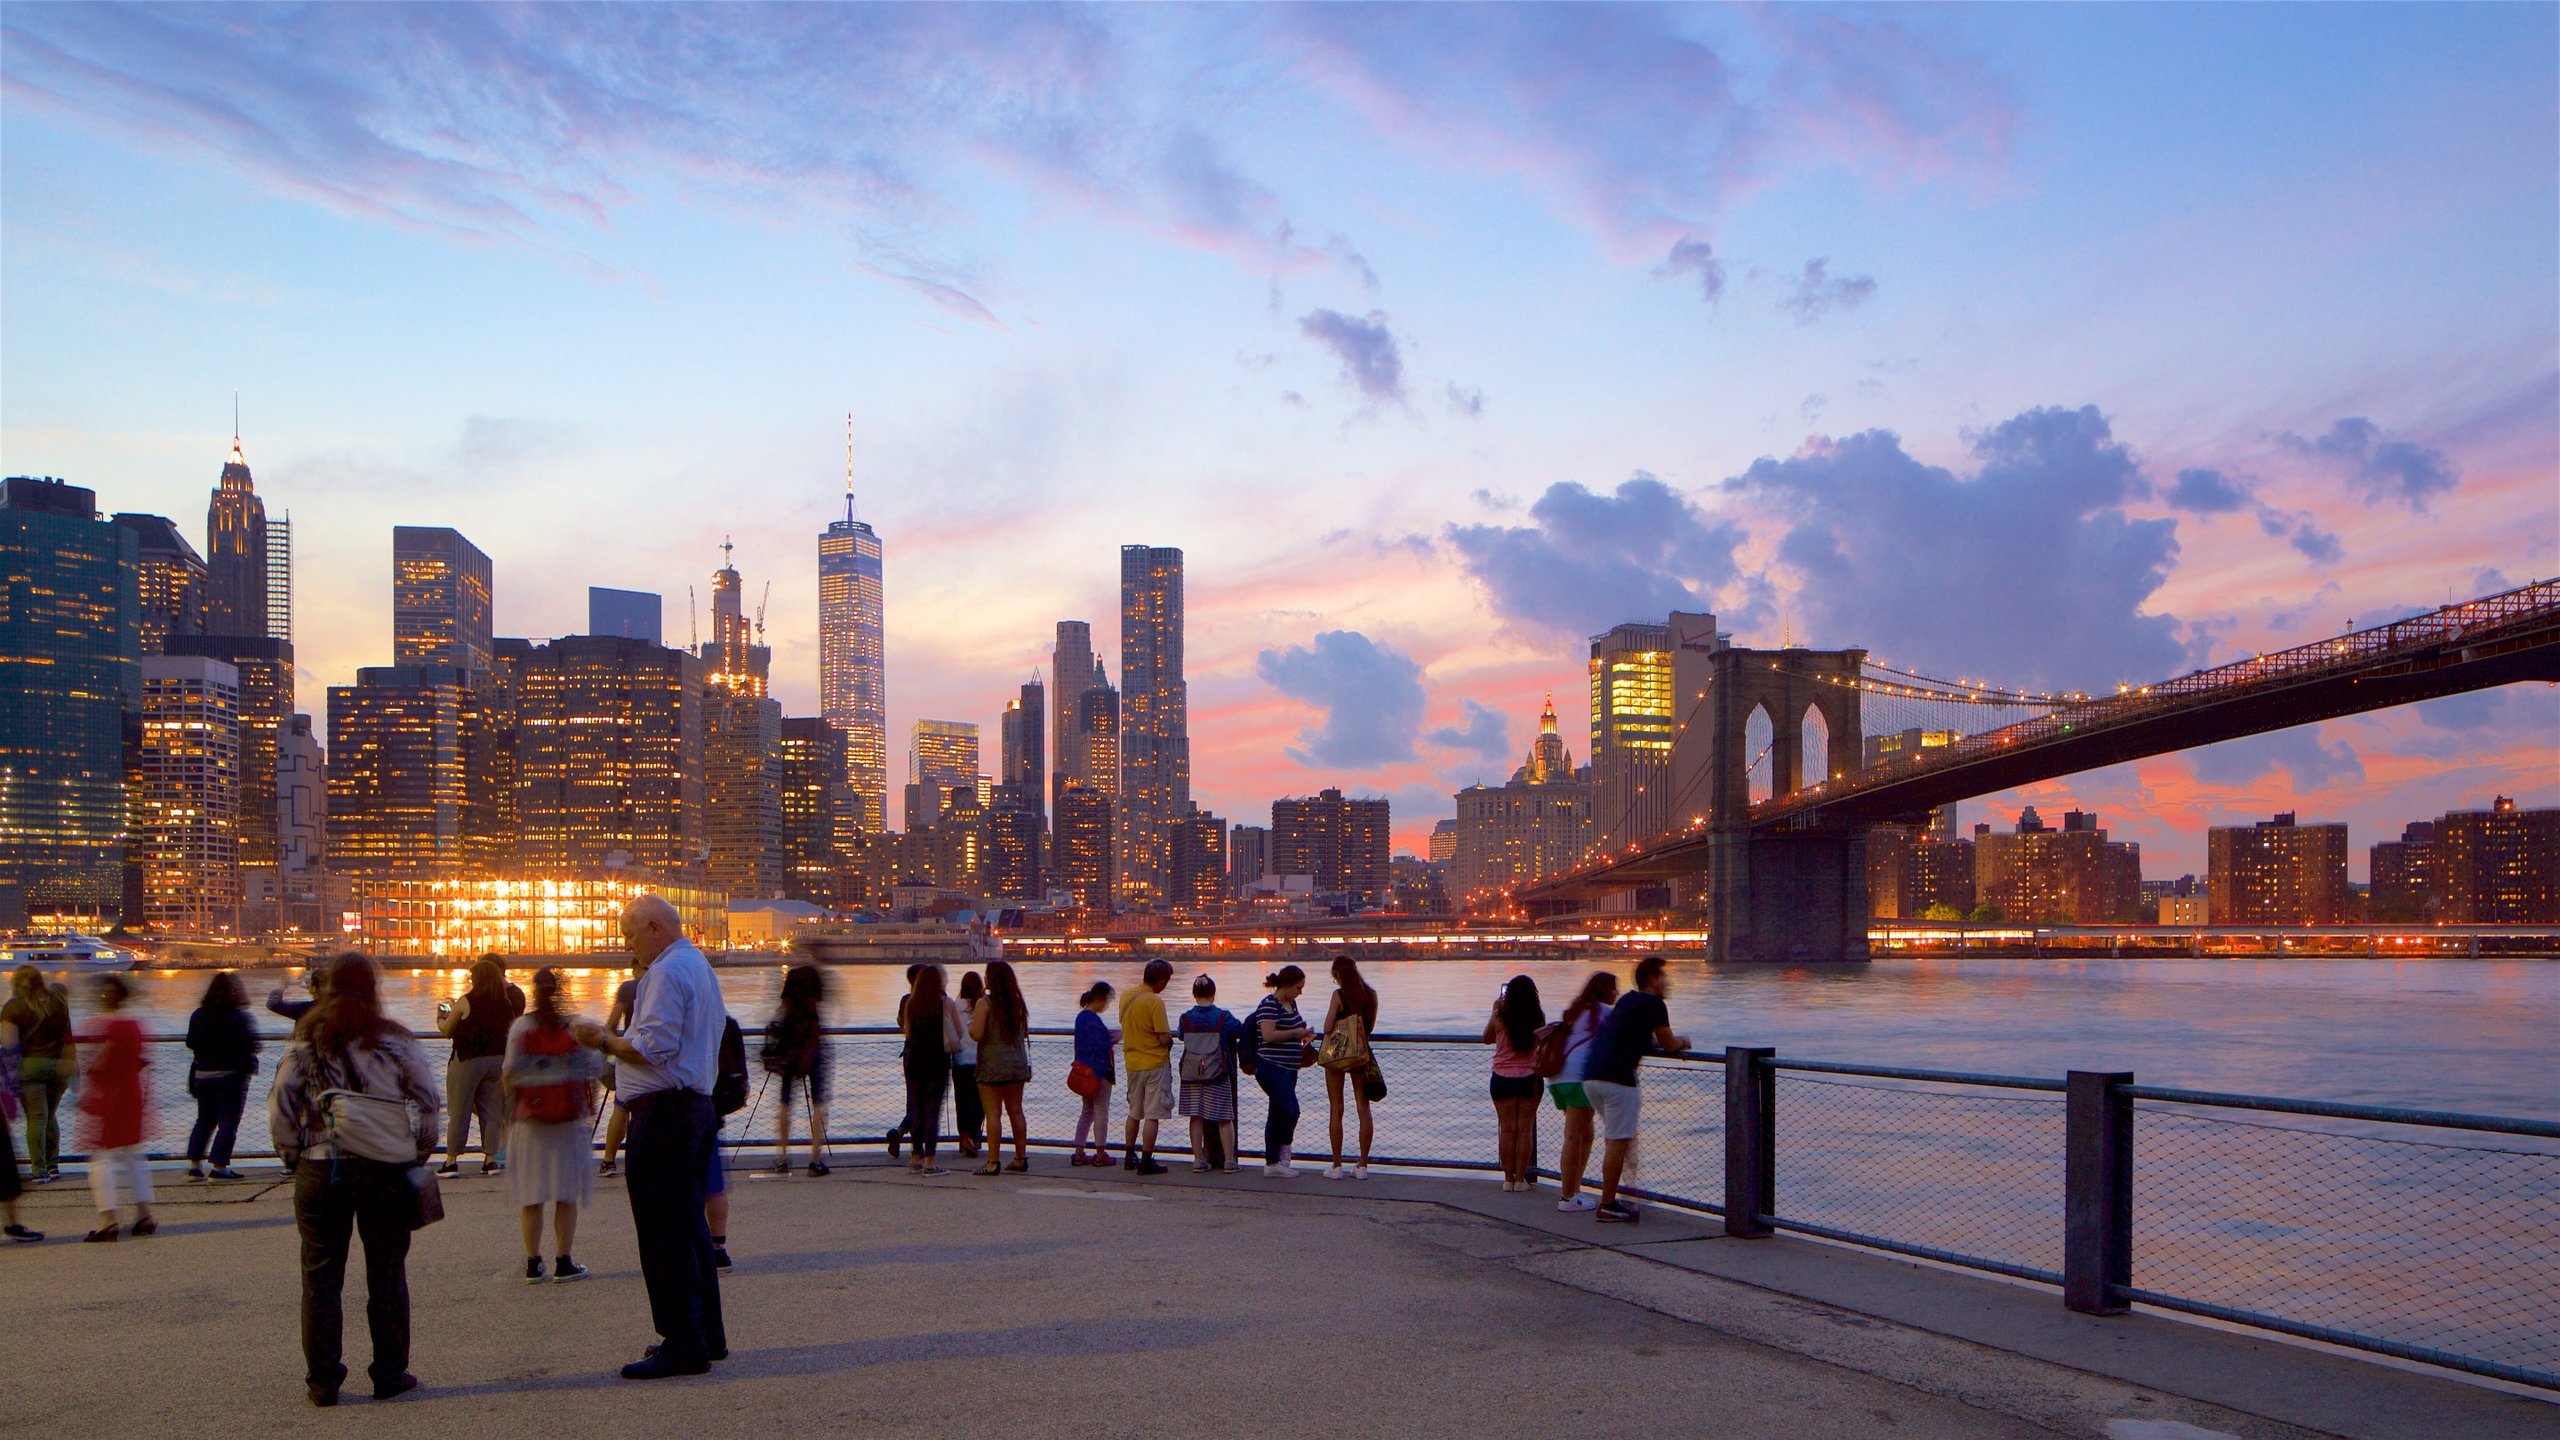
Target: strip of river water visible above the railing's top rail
{"points": [[2477, 1036]]}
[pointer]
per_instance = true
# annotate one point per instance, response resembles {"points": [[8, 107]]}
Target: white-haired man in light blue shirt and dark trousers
{"points": [[669, 1067]]}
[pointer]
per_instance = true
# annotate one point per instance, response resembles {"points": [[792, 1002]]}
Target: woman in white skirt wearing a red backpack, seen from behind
{"points": [[552, 1093]]}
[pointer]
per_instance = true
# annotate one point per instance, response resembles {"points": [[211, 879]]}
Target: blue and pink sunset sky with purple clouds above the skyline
{"points": [[2054, 345]]}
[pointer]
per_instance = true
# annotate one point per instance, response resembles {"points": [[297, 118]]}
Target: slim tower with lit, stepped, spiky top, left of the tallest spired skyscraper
{"points": [[741, 749]]}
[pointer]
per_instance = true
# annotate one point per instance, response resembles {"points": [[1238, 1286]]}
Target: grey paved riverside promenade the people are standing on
{"points": [[1089, 1303]]}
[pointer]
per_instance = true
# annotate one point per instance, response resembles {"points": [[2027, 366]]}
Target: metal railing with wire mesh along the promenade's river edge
{"points": [[2405, 1234]]}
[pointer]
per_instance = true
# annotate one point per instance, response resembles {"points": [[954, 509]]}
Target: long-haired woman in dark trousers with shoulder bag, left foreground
{"points": [[347, 1044]]}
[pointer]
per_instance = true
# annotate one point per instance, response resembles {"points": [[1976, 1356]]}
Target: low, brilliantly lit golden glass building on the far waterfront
{"points": [[465, 919]]}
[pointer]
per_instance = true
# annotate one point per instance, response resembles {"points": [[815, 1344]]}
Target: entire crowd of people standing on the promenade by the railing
{"points": [[357, 1108]]}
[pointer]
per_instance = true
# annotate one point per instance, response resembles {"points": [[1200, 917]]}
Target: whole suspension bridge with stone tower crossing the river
{"points": [[1773, 790]]}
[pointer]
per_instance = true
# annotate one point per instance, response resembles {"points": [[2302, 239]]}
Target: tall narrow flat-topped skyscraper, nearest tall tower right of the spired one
{"points": [[1156, 719]]}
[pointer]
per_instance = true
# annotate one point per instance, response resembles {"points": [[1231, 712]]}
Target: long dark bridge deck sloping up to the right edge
{"points": [[2500, 639]]}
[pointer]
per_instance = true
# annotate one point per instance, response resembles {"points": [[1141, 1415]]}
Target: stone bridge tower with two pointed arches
{"points": [[1778, 896]]}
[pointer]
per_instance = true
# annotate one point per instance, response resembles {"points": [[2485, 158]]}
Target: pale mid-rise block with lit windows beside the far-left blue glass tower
{"points": [[188, 798]]}
